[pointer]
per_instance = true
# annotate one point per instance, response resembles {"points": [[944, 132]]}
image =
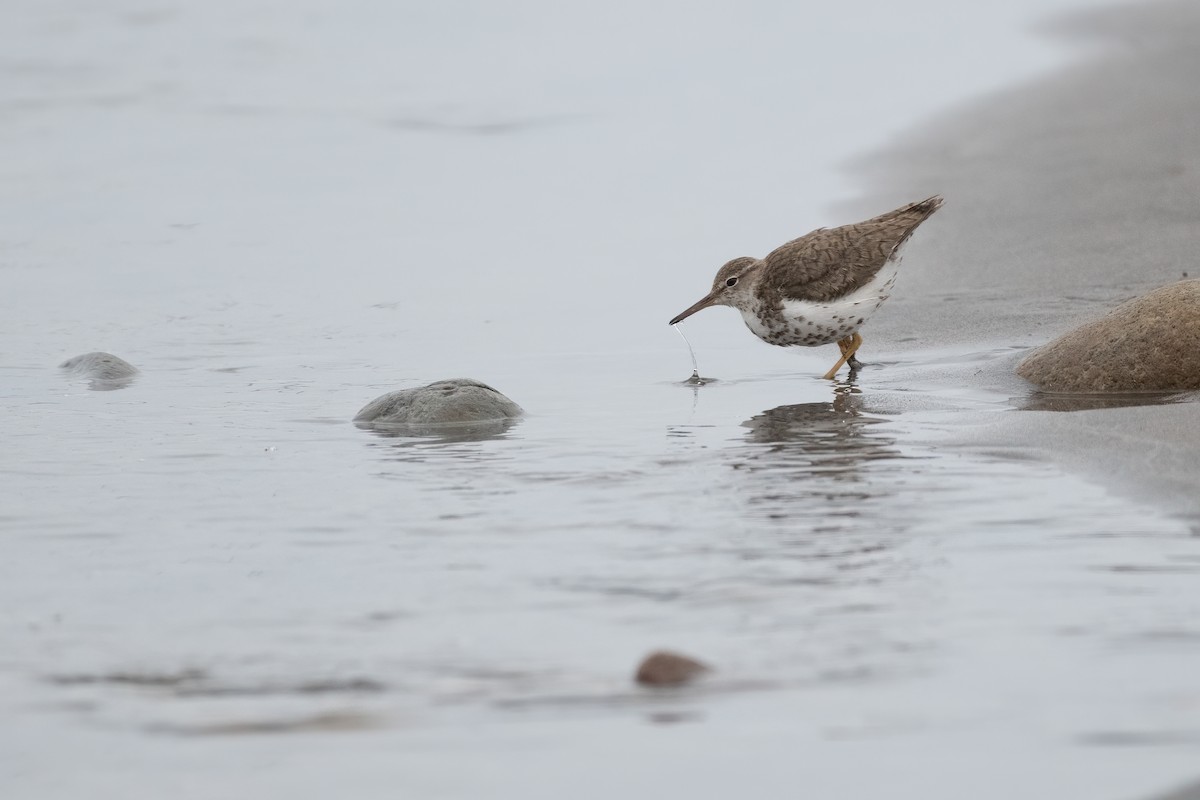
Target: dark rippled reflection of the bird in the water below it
{"points": [[819, 466]]}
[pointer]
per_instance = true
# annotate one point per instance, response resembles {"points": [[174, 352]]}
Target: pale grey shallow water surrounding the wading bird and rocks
{"points": [[215, 585]]}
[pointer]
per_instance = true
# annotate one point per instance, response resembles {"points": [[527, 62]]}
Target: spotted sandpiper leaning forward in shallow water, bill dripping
{"points": [[823, 287]]}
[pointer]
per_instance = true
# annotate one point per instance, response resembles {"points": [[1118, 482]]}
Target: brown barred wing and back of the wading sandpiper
{"points": [[831, 263]]}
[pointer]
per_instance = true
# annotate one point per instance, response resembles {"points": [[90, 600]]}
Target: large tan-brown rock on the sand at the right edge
{"points": [[1151, 344]]}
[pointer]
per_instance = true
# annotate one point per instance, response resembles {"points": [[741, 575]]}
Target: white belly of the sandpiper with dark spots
{"points": [[809, 324]]}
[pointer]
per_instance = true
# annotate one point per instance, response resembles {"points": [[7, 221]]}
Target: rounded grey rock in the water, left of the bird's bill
{"points": [[445, 402]]}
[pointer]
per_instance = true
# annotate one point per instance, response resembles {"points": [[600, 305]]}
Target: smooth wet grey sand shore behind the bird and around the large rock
{"points": [[1065, 199]]}
